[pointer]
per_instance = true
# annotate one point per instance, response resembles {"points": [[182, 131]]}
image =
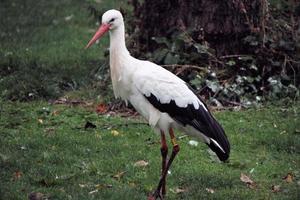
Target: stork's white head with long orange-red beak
{"points": [[111, 19]]}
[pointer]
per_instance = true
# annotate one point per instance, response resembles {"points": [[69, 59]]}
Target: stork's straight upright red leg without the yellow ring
{"points": [[164, 154]]}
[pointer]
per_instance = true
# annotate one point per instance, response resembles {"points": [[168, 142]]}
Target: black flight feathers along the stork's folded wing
{"points": [[200, 119]]}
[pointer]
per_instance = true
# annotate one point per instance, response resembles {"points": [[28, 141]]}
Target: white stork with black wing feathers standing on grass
{"points": [[163, 99]]}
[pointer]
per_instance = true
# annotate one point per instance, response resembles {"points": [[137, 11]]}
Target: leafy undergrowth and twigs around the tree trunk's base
{"points": [[270, 68]]}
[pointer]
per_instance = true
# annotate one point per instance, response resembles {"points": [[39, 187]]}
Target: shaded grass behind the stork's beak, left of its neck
{"points": [[42, 46]]}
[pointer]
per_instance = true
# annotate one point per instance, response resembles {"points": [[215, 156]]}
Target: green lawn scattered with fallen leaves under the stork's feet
{"points": [[45, 148]]}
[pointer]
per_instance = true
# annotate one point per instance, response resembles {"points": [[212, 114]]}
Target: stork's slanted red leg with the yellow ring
{"points": [[175, 150]]}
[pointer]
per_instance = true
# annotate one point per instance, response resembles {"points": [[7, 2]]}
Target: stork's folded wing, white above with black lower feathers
{"points": [[169, 94]]}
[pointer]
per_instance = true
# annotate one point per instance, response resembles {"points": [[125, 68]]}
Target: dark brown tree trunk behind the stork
{"points": [[221, 23]]}
